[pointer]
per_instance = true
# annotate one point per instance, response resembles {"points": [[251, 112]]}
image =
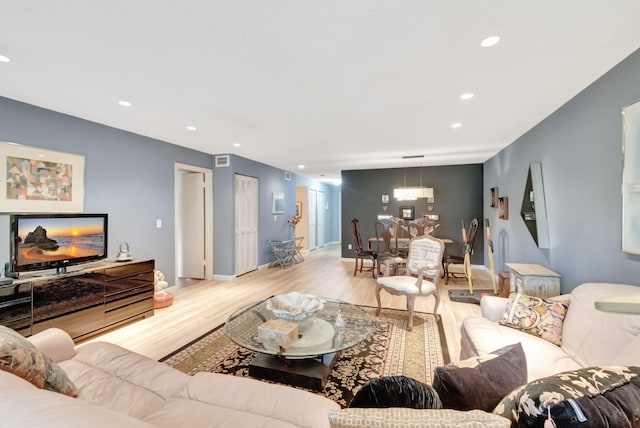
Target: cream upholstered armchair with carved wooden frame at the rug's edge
{"points": [[422, 275]]}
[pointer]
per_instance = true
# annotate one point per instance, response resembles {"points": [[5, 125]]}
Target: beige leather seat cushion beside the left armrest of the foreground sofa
{"points": [[116, 378]]}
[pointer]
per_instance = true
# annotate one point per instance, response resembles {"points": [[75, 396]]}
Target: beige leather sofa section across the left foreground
{"points": [[120, 388]]}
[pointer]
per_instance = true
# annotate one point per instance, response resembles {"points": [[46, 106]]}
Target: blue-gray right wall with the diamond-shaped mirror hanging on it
{"points": [[579, 147]]}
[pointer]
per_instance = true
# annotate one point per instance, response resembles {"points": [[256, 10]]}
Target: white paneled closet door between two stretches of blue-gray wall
{"points": [[246, 224]]}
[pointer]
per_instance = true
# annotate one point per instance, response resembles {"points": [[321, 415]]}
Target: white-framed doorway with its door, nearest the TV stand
{"points": [[193, 222]]}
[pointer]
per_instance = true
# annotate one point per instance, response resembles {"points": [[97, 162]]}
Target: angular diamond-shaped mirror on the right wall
{"points": [[534, 208]]}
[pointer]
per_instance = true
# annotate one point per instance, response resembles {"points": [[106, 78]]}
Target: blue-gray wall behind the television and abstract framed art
{"points": [[128, 176]]}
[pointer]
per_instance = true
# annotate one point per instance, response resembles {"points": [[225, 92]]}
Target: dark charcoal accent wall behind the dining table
{"points": [[457, 192]]}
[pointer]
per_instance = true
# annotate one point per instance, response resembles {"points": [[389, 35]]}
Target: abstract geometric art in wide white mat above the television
{"points": [[39, 180]]}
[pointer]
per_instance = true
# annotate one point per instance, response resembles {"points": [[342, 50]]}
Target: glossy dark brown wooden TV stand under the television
{"points": [[98, 297]]}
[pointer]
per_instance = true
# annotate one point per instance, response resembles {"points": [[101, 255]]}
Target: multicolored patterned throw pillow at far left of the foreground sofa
{"points": [[20, 357]]}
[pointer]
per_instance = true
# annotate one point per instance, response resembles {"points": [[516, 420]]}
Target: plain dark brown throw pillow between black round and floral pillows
{"points": [[481, 382]]}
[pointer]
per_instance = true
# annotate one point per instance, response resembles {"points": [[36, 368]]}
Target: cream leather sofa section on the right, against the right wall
{"points": [[589, 337]]}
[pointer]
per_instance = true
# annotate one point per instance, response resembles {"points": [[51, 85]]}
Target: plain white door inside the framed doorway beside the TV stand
{"points": [[191, 243]]}
